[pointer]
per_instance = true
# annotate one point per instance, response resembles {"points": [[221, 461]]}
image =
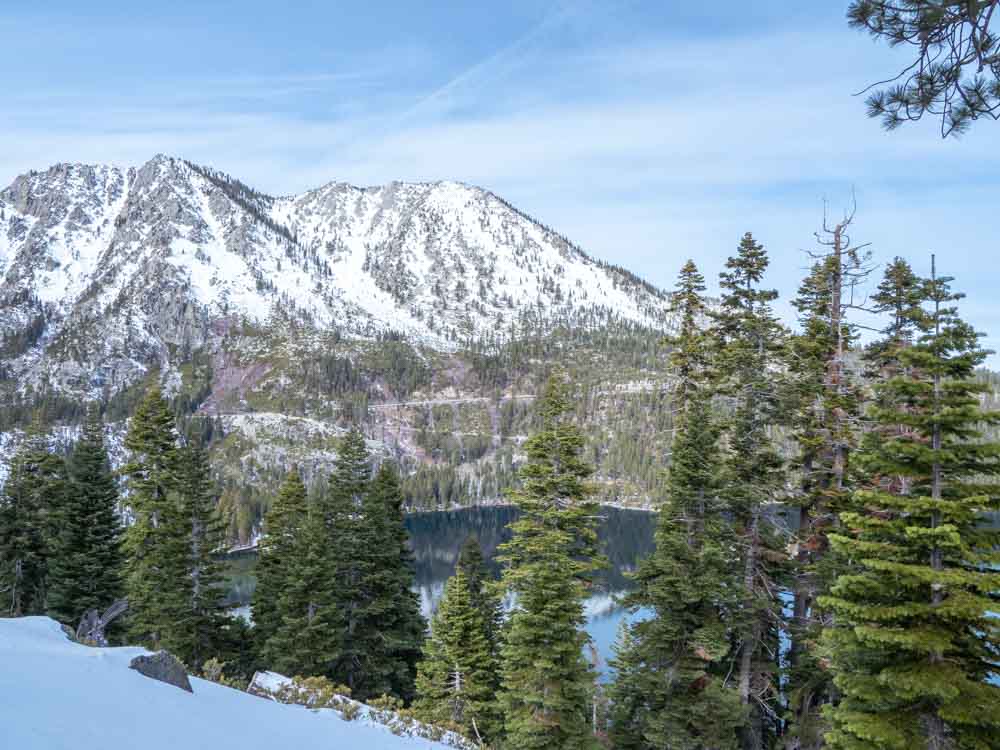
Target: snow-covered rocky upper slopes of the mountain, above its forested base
{"points": [[105, 272]]}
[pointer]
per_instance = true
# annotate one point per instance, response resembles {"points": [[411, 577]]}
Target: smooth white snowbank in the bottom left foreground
{"points": [[56, 694]]}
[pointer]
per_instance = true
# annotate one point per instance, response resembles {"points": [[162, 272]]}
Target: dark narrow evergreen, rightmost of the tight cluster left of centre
{"points": [[391, 621]]}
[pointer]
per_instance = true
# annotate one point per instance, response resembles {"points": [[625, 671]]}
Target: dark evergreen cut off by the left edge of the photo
{"points": [[33, 494]]}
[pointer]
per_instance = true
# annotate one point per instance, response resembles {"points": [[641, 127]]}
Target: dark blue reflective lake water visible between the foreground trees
{"points": [[626, 537]]}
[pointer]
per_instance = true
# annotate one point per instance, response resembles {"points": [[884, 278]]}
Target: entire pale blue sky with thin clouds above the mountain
{"points": [[647, 132]]}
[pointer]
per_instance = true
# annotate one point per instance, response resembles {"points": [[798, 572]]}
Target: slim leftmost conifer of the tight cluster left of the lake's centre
{"points": [[284, 527]]}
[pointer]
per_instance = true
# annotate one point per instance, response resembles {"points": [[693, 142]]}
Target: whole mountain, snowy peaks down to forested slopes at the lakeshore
{"points": [[275, 323]]}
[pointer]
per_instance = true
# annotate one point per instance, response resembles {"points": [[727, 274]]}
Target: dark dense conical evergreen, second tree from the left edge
{"points": [[86, 557]]}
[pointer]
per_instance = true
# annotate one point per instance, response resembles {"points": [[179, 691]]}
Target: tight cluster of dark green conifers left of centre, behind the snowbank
{"points": [[336, 593]]}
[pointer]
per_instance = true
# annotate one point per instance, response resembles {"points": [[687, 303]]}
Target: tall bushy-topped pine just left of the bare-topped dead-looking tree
{"points": [[748, 341]]}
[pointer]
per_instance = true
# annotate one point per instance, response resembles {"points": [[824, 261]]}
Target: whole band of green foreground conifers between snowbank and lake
{"points": [[870, 625]]}
